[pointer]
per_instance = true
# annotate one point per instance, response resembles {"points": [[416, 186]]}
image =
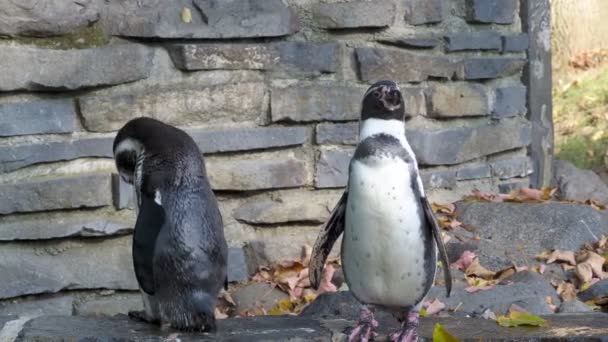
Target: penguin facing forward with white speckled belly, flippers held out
{"points": [[389, 248]]}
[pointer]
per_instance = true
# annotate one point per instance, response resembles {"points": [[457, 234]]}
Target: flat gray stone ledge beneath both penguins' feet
{"points": [[568, 327]]}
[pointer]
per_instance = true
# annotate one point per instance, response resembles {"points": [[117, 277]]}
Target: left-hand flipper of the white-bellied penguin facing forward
{"points": [[325, 241]]}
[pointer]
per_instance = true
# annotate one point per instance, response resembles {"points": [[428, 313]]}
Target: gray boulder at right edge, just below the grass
{"points": [[576, 184]]}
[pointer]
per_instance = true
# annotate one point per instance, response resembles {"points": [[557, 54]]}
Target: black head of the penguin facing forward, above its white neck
{"points": [[383, 100]]}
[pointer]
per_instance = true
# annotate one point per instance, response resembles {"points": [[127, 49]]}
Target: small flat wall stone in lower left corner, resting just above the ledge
{"points": [[59, 305]]}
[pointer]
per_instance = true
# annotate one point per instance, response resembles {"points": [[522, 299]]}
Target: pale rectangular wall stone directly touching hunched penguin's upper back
{"points": [[258, 174]]}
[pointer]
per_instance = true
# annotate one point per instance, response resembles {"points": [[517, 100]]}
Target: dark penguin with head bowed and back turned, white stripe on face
{"points": [[179, 249]]}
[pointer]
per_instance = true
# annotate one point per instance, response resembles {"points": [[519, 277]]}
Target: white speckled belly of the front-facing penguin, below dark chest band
{"points": [[383, 249]]}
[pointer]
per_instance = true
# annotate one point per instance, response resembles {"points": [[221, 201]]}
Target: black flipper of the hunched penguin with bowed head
{"points": [[149, 223]]}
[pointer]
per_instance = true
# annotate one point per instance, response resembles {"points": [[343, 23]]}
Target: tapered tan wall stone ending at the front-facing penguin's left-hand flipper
{"points": [[301, 206]]}
